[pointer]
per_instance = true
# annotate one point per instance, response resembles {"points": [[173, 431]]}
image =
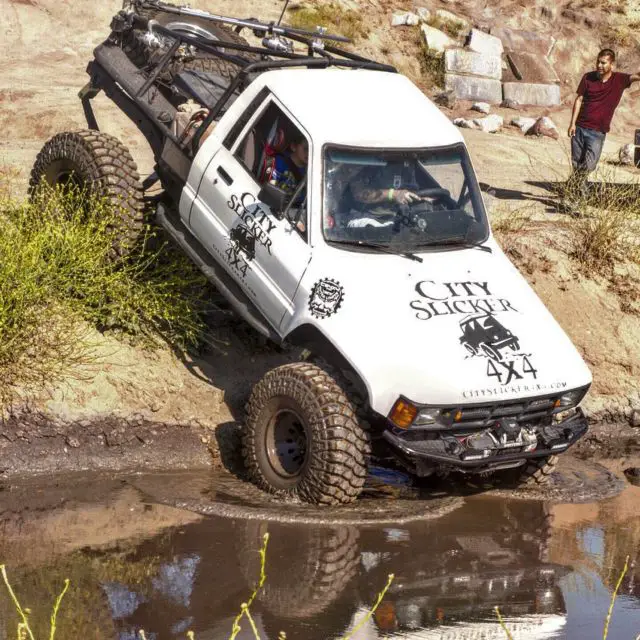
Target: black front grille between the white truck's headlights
{"points": [[523, 412]]}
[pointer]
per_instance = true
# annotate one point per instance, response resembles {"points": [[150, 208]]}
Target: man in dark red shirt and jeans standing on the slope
{"points": [[599, 94]]}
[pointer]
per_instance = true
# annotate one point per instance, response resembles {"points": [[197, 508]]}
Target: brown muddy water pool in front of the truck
{"points": [[141, 555]]}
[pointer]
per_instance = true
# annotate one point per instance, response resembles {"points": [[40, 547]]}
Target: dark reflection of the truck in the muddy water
{"points": [[450, 573]]}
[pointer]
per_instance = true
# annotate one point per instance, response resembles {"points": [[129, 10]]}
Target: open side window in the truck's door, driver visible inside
{"points": [[275, 151]]}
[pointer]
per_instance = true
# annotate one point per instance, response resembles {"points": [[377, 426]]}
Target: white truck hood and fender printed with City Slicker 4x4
{"points": [[461, 327]]}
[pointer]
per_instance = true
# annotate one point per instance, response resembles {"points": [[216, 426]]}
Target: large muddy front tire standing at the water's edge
{"points": [[302, 437]]}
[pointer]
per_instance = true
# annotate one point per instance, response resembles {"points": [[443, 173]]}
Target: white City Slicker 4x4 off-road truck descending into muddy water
{"points": [[337, 209]]}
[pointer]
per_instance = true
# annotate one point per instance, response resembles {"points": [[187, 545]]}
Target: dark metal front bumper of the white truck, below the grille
{"points": [[448, 450]]}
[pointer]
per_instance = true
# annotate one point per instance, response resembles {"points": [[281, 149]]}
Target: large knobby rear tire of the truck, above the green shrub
{"points": [[101, 165]]}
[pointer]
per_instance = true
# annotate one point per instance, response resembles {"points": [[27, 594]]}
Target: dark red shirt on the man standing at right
{"points": [[600, 99]]}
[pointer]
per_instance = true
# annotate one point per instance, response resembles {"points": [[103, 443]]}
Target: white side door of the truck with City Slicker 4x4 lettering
{"points": [[262, 250]]}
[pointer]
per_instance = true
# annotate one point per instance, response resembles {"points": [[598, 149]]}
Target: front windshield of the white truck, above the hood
{"points": [[402, 199]]}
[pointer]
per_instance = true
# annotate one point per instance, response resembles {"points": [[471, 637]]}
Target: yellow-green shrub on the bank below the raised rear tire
{"points": [[57, 270]]}
